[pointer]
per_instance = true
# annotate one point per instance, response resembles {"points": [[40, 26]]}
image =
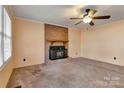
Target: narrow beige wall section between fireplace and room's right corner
{"points": [[74, 42]]}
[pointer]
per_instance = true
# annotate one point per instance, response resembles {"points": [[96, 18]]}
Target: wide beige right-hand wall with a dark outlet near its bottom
{"points": [[104, 42]]}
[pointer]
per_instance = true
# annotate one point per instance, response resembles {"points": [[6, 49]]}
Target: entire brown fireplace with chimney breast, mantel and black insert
{"points": [[56, 42]]}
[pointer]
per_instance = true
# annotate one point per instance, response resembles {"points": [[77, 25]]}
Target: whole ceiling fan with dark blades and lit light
{"points": [[89, 17]]}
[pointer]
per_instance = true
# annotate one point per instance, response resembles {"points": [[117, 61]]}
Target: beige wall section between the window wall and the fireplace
{"points": [[28, 43]]}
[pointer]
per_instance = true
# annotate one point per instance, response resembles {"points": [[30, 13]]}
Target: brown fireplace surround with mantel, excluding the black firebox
{"points": [[55, 36]]}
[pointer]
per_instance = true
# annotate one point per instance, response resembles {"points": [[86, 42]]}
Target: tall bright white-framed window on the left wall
{"points": [[5, 36]]}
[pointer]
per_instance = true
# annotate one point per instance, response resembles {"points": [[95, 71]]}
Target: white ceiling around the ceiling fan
{"points": [[60, 14]]}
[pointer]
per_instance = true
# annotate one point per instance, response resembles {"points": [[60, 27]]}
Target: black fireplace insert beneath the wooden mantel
{"points": [[57, 52]]}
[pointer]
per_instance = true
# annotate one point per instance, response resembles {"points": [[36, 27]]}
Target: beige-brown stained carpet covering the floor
{"points": [[69, 73]]}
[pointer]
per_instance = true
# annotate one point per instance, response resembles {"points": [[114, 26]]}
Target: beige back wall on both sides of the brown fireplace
{"points": [[29, 42]]}
